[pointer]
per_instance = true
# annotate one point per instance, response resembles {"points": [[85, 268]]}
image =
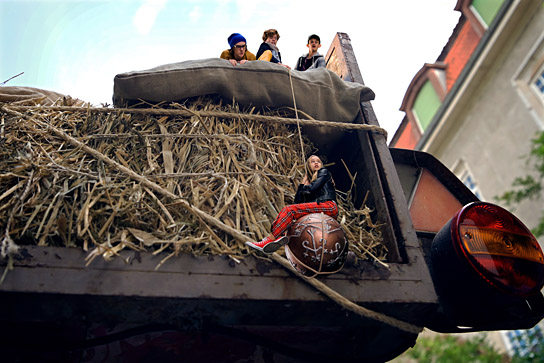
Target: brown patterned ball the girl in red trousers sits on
{"points": [[317, 245]]}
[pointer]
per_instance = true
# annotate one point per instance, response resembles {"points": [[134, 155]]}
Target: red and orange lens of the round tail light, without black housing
{"points": [[499, 248]]}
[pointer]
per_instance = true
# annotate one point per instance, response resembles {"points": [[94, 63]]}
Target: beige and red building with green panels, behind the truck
{"points": [[478, 107]]}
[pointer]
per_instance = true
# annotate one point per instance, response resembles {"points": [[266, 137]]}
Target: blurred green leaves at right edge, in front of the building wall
{"points": [[530, 186]]}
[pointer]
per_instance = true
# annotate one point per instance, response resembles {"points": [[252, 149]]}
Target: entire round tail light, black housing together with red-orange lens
{"points": [[488, 270]]}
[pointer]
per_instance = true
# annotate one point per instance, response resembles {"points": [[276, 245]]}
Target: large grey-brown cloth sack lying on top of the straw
{"points": [[320, 92]]}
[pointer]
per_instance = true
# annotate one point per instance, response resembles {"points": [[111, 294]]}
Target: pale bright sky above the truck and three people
{"points": [[77, 47]]}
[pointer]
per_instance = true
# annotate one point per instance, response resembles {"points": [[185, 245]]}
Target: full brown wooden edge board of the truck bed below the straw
{"points": [[63, 271]]}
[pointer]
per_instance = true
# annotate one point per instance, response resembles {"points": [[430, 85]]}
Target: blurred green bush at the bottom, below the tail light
{"points": [[451, 349]]}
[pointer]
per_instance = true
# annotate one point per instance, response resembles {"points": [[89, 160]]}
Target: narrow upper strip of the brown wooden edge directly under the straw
{"points": [[74, 259]]}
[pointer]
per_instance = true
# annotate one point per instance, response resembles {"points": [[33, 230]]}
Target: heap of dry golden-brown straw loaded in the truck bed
{"points": [[108, 181]]}
